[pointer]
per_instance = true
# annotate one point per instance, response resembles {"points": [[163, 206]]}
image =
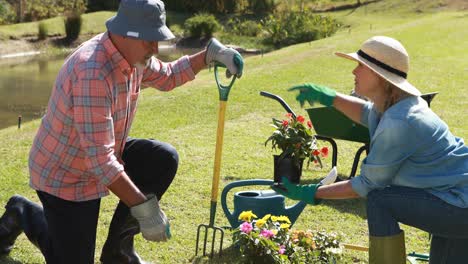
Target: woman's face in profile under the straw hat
{"points": [[366, 82]]}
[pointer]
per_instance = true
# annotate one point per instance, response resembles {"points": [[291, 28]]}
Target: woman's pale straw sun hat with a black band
{"points": [[388, 58]]}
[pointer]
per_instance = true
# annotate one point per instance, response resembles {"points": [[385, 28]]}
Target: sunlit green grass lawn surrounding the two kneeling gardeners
{"points": [[187, 118]]}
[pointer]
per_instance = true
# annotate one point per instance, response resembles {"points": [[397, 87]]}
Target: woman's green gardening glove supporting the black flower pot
{"points": [[304, 193]]}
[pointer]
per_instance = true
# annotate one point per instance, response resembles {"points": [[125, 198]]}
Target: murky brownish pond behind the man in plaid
{"points": [[25, 86]]}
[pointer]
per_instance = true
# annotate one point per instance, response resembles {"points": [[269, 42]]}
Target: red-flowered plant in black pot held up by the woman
{"points": [[294, 137]]}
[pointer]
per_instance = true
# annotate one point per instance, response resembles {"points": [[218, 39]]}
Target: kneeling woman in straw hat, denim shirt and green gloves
{"points": [[416, 171]]}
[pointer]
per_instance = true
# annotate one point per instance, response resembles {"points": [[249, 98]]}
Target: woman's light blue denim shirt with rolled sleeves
{"points": [[411, 146]]}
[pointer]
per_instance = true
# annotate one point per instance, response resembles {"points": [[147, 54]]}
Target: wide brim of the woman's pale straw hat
{"points": [[396, 80]]}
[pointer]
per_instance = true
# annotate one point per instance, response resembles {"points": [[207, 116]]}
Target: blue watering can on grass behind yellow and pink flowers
{"points": [[259, 202]]}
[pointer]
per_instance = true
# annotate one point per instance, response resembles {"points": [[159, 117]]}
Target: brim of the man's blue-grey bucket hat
{"points": [[118, 25]]}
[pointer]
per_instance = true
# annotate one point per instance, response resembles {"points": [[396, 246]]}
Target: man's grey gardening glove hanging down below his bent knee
{"points": [[154, 224]]}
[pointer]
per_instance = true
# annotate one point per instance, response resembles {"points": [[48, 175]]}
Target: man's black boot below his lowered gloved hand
{"points": [[118, 248]]}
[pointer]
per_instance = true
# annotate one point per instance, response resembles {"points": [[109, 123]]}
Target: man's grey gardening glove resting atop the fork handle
{"points": [[229, 57]]}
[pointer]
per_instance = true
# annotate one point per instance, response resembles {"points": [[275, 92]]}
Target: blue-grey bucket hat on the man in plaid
{"points": [[141, 19]]}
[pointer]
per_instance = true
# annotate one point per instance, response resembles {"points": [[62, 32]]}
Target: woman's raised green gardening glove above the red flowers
{"points": [[313, 92]]}
